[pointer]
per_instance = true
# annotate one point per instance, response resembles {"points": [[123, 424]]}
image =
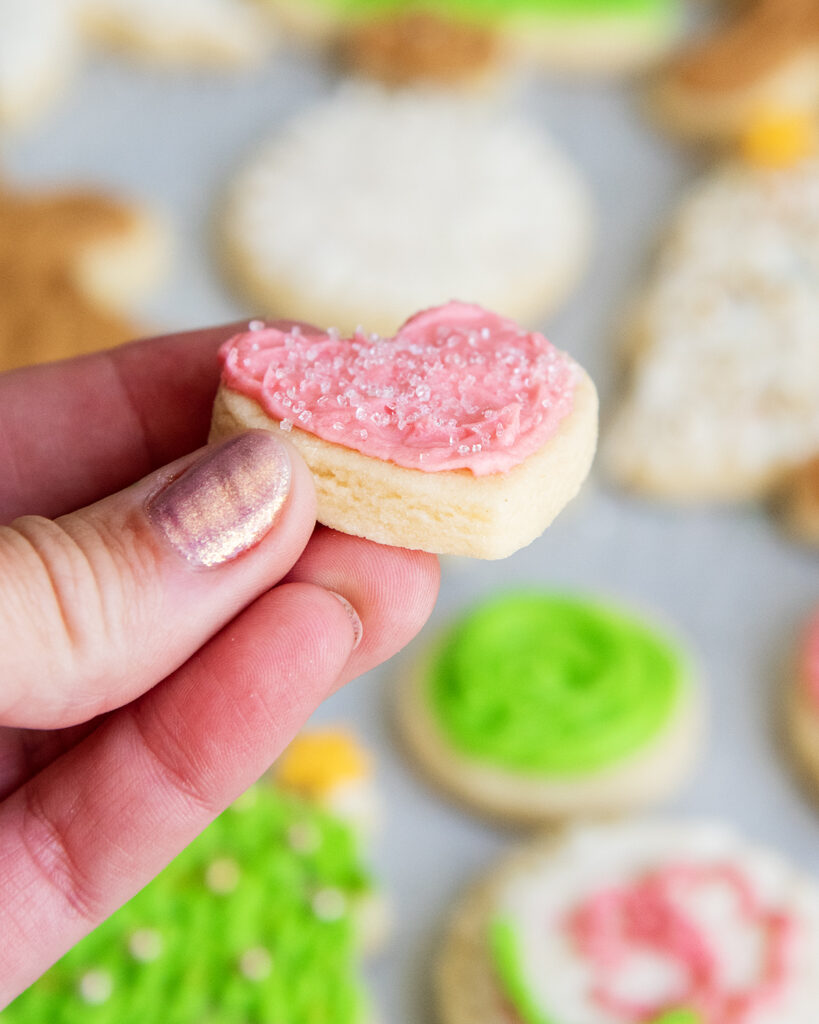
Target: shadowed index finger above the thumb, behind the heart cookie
{"points": [[72, 433]]}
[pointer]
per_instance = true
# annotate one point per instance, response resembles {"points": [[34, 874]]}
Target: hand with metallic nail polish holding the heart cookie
{"points": [[160, 647]]}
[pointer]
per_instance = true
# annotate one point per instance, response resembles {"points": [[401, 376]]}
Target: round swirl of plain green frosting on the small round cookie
{"points": [[546, 686]]}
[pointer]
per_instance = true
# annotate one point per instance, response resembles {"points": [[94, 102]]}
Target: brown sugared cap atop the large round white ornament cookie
{"points": [[420, 46]]}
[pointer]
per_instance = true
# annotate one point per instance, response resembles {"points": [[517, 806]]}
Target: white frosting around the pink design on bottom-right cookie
{"points": [[538, 901]]}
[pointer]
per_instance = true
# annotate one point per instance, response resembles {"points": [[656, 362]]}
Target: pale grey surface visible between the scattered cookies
{"points": [[730, 584]]}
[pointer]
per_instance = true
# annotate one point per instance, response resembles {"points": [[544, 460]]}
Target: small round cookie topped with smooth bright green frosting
{"points": [[535, 707]]}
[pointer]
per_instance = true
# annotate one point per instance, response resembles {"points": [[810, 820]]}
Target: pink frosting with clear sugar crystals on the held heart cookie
{"points": [[457, 389]]}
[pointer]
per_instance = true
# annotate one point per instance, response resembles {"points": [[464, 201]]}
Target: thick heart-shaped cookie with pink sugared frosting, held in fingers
{"points": [[463, 435]]}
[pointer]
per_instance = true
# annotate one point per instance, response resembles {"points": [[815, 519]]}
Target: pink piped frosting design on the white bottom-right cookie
{"points": [[651, 917]]}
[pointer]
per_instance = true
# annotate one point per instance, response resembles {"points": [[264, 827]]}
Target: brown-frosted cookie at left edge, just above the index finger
{"points": [[70, 264]]}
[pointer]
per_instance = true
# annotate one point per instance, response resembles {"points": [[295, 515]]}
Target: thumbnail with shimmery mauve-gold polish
{"points": [[227, 502]]}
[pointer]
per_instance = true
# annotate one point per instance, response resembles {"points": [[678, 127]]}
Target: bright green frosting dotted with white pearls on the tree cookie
{"points": [[290, 857]]}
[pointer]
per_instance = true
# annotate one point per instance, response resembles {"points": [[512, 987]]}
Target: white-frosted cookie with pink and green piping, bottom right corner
{"points": [[642, 923]]}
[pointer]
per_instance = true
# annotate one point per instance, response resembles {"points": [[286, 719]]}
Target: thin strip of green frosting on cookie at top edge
{"points": [[497, 11]]}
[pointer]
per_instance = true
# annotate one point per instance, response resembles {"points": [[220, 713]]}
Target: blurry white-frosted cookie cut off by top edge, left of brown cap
{"points": [[201, 32]]}
